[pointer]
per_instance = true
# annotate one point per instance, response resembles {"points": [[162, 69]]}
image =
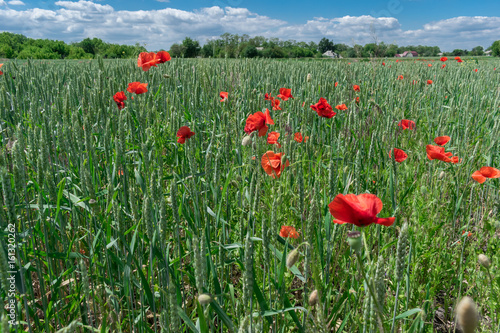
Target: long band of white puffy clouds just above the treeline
{"points": [[74, 21]]}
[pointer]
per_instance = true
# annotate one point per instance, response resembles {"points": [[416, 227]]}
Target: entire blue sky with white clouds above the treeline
{"points": [[159, 23]]}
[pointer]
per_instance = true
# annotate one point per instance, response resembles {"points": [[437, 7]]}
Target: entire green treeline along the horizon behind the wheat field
{"points": [[226, 46]]}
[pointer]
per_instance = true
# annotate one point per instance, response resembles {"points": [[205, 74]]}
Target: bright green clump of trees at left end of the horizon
{"points": [[21, 47]]}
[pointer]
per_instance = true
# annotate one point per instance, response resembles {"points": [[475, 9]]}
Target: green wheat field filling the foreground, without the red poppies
{"points": [[109, 224]]}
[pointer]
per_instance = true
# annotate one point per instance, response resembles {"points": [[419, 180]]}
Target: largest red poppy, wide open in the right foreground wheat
{"points": [[360, 210]]}
